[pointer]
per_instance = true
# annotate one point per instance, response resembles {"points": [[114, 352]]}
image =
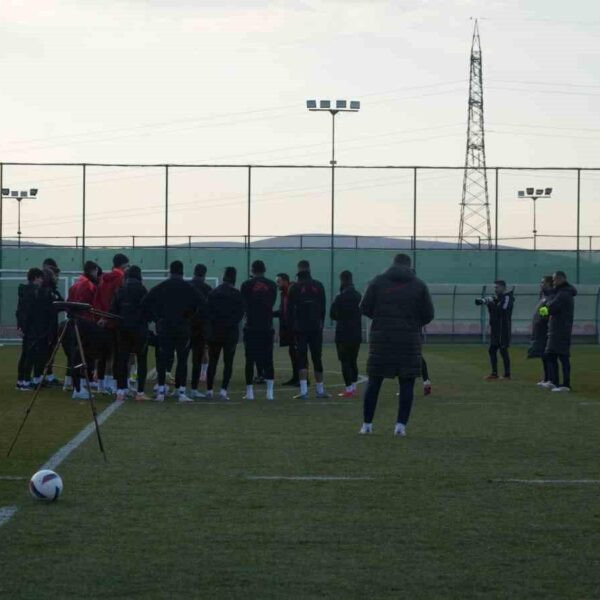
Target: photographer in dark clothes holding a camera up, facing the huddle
{"points": [[500, 307]]}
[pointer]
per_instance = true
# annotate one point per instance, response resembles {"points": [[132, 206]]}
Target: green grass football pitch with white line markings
{"points": [[176, 512]]}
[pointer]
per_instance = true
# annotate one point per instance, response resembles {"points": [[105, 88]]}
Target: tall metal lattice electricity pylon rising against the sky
{"points": [[475, 225]]}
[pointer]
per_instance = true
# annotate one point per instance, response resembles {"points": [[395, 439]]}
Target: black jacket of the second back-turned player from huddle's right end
{"points": [[306, 304]]}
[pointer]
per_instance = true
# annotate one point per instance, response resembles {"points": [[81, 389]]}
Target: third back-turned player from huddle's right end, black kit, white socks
{"points": [[259, 295]]}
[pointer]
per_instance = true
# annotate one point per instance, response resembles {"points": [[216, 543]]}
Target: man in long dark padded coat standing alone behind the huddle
{"points": [[399, 305]]}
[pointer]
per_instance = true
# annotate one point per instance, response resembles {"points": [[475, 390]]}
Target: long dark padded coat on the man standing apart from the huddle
{"points": [[400, 305]]}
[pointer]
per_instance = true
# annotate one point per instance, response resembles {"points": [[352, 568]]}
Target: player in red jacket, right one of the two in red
{"points": [[107, 288]]}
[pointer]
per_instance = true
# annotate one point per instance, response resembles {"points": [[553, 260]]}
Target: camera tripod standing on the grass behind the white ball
{"points": [[74, 311]]}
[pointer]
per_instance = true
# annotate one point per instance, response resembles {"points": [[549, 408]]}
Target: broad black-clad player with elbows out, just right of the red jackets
{"points": [[171, 305]]}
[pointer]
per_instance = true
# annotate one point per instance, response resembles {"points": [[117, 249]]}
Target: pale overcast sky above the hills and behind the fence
{"points": [[211, 82]]}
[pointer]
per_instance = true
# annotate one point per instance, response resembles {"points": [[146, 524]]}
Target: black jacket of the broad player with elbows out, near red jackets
{"points": [[171, 305]]}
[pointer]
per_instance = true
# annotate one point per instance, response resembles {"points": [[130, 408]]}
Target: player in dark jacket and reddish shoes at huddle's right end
{"points": [[345, 310]]}
